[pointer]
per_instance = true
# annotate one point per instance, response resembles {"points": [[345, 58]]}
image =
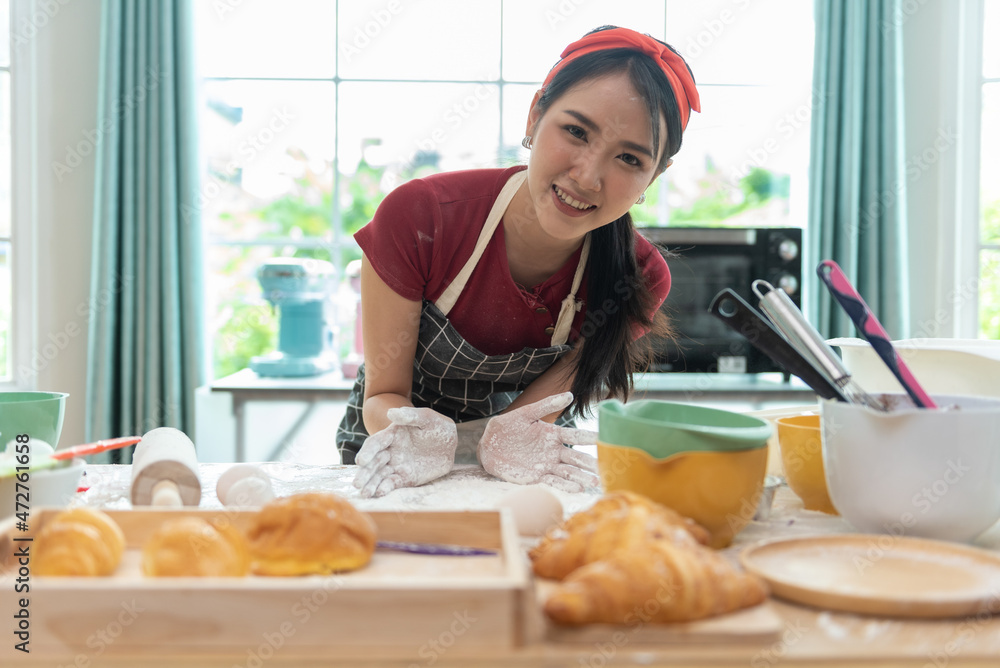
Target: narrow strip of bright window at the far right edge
{"points": [[989, 178]]}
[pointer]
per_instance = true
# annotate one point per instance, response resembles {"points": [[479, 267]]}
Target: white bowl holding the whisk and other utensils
{"points": [[916, 472]]}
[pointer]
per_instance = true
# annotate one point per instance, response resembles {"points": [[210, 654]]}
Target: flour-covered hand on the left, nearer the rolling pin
{"points": [[418, 447]]}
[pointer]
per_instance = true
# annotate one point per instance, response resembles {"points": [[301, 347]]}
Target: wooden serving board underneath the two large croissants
{"points": [[756, 625]]}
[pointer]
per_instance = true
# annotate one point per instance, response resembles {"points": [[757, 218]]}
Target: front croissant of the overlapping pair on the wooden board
{"points": [[659, 581]]}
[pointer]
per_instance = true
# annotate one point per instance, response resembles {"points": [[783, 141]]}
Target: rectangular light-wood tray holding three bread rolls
{"points": [[401, 602]]}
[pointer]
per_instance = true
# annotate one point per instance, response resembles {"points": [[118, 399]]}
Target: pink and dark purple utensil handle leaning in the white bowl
{"points": [[869, 326]]}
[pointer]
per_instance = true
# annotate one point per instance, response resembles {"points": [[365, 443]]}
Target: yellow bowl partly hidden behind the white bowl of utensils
{"points": [[800, 441]]}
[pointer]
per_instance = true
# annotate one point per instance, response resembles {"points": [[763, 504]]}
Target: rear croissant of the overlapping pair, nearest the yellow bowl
{"points": [[618, 520]]}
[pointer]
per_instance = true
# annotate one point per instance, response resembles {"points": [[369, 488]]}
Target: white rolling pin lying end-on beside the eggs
{"points": [[165, 470]]}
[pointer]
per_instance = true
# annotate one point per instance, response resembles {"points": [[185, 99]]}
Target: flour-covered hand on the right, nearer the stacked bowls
{"points": [[520, 447]]}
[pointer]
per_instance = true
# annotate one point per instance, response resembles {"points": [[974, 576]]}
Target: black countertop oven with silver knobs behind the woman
{"points": [[703, 261]]}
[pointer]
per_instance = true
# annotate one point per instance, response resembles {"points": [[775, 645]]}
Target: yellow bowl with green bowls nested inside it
{"points": [[719, 490]]}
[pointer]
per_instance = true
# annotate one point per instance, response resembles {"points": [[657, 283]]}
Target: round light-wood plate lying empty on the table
{"points": [[879, 574]]}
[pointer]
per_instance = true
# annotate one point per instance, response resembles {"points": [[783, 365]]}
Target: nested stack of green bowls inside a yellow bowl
{"points": [[707, 464]]}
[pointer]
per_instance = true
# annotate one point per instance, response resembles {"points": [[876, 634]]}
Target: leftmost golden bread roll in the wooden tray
{"points": [[79, 541]]}
